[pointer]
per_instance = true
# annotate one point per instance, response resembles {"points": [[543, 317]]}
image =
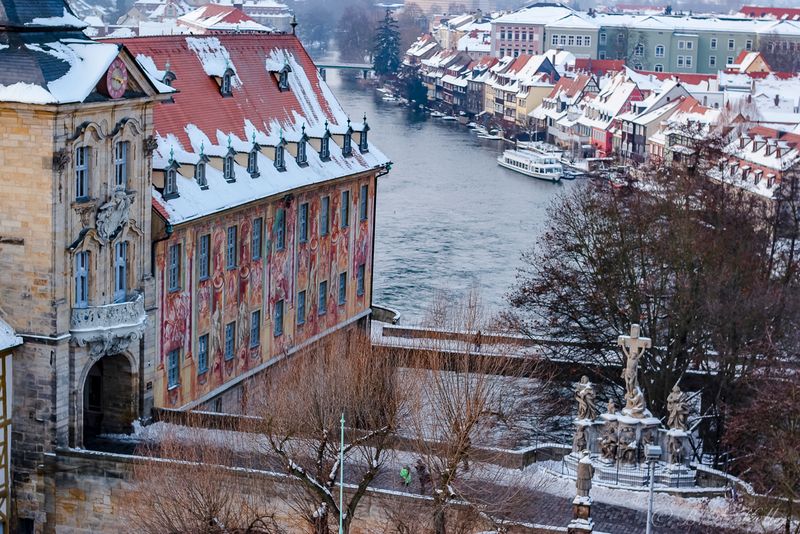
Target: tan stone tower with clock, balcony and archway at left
{"points": [[75, 270]]}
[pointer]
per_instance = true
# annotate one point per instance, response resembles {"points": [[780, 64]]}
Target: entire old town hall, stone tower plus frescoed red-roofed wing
{"points": [[178, 213]]}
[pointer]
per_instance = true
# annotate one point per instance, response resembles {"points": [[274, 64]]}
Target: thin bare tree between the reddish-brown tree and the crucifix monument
{"points": [[462, 399]]}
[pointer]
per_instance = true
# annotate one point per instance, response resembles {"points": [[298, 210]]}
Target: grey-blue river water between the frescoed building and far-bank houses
{"points": [[448, 217]]}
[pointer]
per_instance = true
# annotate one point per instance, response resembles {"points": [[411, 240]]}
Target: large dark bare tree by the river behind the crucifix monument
{"points": [[688, 256]]}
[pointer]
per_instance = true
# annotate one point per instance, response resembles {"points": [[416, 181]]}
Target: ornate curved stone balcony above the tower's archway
{"points": [[111, 328]]}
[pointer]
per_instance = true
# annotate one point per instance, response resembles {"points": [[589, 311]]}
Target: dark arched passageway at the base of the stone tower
{"points": [[108, 398]]}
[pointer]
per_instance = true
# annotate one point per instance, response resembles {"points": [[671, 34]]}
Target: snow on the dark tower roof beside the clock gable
{"points": [[83, 63]]}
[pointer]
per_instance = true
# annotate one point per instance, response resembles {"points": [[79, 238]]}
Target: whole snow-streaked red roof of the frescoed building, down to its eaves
{"points": [[201, 119]]}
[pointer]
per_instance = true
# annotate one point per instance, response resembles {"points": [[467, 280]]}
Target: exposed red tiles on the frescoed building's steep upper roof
{"points": [[258, 99]]}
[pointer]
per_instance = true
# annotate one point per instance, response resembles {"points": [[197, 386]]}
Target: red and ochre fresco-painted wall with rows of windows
{"points": [[231, 295]]}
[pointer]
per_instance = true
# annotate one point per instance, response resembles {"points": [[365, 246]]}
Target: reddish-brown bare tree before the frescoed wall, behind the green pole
{"points": [[302, 404]]}
